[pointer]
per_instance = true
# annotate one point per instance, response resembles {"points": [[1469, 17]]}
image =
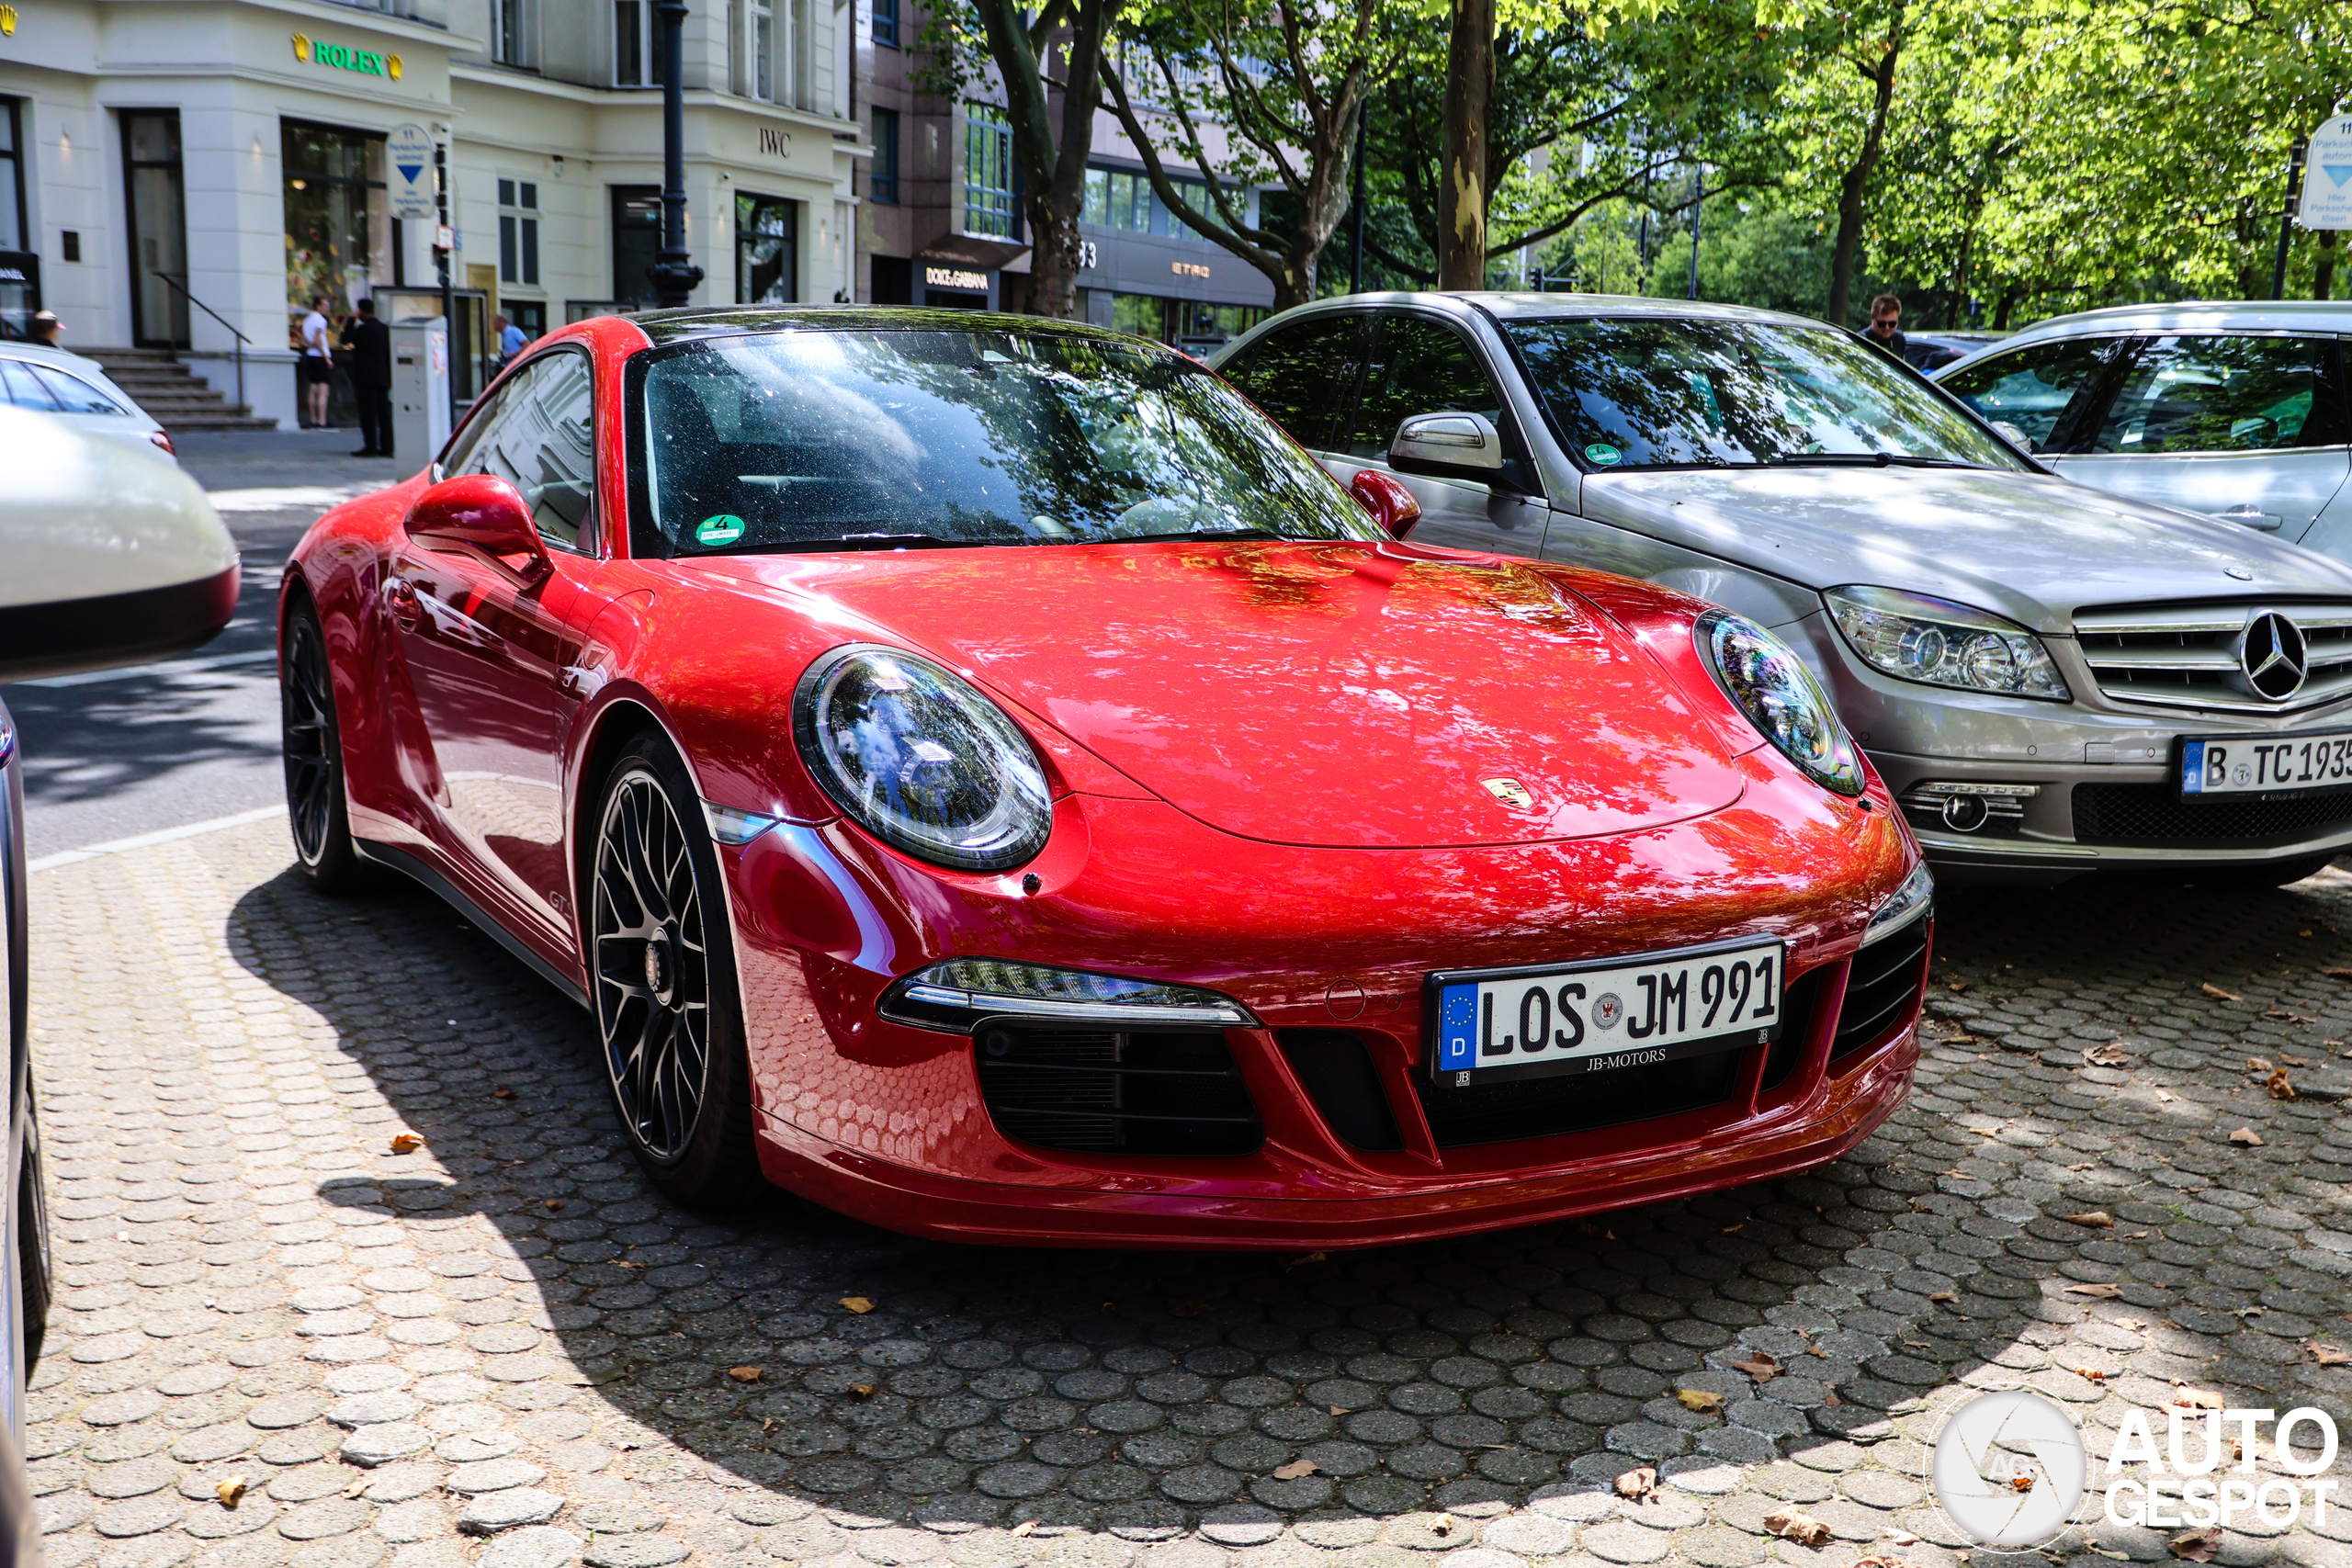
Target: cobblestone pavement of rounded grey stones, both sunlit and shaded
{"points": [[505, 1348]]}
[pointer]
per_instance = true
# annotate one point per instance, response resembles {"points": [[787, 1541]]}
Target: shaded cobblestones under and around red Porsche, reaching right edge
{"points": [[1149, 1393]]}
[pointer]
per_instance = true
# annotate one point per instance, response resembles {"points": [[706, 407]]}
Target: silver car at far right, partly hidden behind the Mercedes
{"points": [[2229, 410]]}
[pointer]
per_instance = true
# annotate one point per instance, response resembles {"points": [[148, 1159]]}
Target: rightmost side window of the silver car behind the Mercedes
{"points": [[2226, 394]]}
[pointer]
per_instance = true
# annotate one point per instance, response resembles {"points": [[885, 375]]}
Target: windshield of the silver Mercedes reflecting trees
{"points": [[1692, 394]]}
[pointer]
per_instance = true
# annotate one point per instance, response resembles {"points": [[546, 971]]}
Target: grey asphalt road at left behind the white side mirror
{"points": [[128, 753]]}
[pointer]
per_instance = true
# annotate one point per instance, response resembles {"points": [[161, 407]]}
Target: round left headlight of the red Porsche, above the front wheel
{"points": [[921, 760]]}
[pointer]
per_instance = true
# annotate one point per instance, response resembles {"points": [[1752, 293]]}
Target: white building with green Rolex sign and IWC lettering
{"points": [[192, 170]]}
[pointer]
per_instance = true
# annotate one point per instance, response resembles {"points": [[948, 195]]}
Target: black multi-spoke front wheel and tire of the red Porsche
{"points": [[664, 984]]}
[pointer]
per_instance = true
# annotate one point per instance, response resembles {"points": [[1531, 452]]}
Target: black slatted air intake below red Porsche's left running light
{"points": [[1168, 1092]]}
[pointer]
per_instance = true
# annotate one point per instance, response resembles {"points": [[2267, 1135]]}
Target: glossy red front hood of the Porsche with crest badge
{"points": [[1307, 695]]}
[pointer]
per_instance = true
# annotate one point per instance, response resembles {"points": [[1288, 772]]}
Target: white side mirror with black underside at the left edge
{"points": [[112, 554]]}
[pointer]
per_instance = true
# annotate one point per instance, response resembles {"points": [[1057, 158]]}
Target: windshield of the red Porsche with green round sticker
{"points": [[907, 438]]}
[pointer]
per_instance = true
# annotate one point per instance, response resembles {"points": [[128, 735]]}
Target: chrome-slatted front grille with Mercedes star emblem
{"points": [[2186, 655]]}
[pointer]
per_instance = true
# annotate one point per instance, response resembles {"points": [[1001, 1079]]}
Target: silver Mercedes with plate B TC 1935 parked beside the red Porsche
{"points": [[2050, 678]]}
